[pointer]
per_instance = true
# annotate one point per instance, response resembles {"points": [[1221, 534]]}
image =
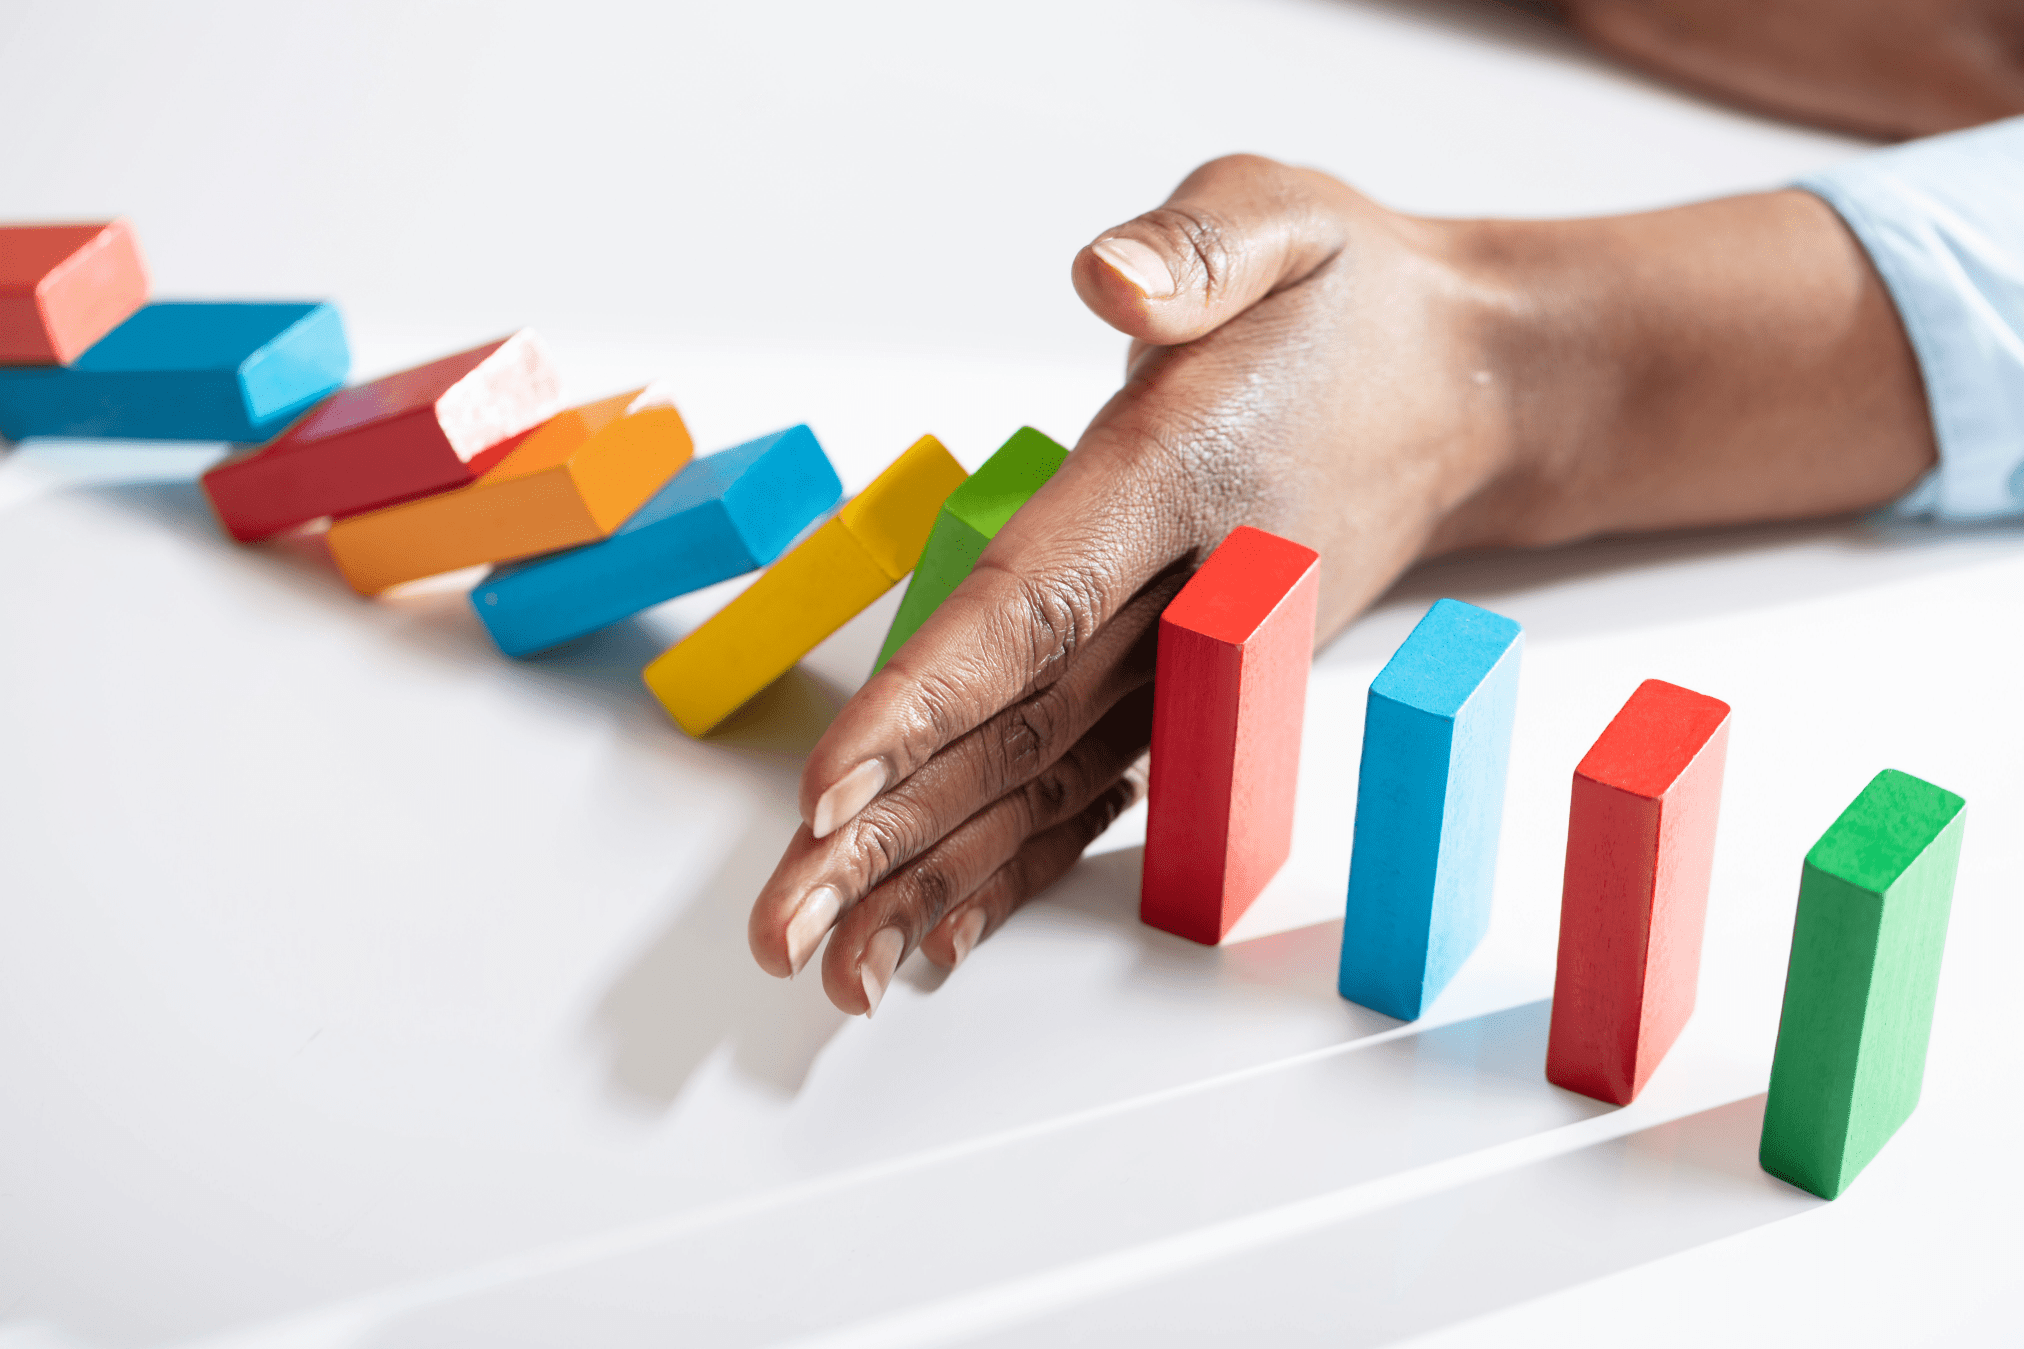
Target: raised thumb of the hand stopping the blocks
{"points": [[1234, 234]]}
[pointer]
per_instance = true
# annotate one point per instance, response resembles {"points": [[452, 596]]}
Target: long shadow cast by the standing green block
{"points": [[1460, 1253]]}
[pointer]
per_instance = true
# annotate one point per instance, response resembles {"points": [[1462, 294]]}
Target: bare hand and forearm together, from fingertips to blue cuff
{"points": [[1371, 385]]}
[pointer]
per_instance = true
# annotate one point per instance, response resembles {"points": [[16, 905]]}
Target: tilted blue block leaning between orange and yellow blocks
{"points": [[722, 517]]}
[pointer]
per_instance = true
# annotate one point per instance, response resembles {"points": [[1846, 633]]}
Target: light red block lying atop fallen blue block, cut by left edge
{"points": [[64, 288]]}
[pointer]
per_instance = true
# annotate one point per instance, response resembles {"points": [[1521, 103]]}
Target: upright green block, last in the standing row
{"points": [[1859, 992]]}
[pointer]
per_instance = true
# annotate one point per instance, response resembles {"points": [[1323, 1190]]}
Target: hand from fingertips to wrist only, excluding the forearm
{"points": [[1304, 363]]}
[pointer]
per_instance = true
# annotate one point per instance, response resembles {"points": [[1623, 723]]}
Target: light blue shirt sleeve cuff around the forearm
{"points": [[1944, 221]]}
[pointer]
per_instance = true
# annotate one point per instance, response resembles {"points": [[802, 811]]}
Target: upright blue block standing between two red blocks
{"points": [[1430, 798]]}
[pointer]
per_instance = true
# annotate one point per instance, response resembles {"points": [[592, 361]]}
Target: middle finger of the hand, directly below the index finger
{"points": [[1019, 749]]}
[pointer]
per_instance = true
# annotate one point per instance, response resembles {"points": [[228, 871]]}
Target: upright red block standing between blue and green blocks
{"points": [[1640, 846]]}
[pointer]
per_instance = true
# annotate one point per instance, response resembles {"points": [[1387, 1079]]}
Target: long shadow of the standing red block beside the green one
{"points": [[958, 1223]]}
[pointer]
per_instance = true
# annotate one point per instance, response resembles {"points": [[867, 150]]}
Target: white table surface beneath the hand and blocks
{"points": [[361, 988]]}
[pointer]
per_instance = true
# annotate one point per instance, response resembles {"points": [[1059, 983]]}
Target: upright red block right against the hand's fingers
{"points": [[1236, 648]]}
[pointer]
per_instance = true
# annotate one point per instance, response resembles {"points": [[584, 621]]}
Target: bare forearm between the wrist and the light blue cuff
{"points": [[1723, 363]]}
